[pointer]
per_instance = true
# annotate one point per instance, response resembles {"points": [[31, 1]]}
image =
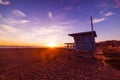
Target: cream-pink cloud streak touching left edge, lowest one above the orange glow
{"points": [[7, 29]]}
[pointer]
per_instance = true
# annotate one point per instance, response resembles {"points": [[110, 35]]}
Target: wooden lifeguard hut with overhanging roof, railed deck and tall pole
{"points": [[84, 45]]}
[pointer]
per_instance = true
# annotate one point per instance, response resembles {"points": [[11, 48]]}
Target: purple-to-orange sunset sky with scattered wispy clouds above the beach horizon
{"points": [[40, 22]]}
